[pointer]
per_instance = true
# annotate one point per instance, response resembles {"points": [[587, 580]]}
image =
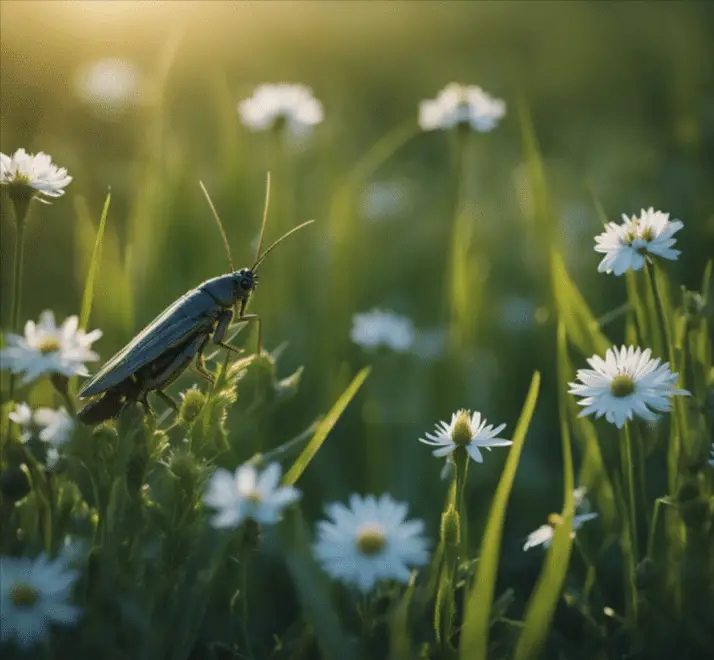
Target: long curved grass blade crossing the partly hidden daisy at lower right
{"points": [[541, 606]]}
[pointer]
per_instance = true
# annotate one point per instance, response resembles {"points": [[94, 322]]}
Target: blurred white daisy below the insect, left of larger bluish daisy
{"points": [[248, 494]]}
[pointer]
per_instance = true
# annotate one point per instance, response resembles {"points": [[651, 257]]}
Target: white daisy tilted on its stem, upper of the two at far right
{"points": [[629, 245]]}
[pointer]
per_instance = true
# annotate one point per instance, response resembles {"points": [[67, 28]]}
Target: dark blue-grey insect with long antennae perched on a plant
{"points": [[163, 350]]}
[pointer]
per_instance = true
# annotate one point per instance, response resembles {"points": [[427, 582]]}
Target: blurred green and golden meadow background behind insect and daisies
{"points": [[141, 97]]}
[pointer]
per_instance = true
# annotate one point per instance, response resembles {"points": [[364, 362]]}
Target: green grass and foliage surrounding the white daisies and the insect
{"points": [[511, 219]]}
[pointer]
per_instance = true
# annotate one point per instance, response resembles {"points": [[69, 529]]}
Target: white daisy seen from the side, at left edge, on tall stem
{"points": [[27, 174]]}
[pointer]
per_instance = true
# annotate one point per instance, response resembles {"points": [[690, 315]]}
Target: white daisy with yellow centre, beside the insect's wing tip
{"points": [[45, 348]]}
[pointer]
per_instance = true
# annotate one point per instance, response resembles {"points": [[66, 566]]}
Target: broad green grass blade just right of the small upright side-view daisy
{"points": [[474, 635]]}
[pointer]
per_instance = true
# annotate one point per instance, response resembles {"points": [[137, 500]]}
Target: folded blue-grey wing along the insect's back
{"points": [[195, 311]]}
